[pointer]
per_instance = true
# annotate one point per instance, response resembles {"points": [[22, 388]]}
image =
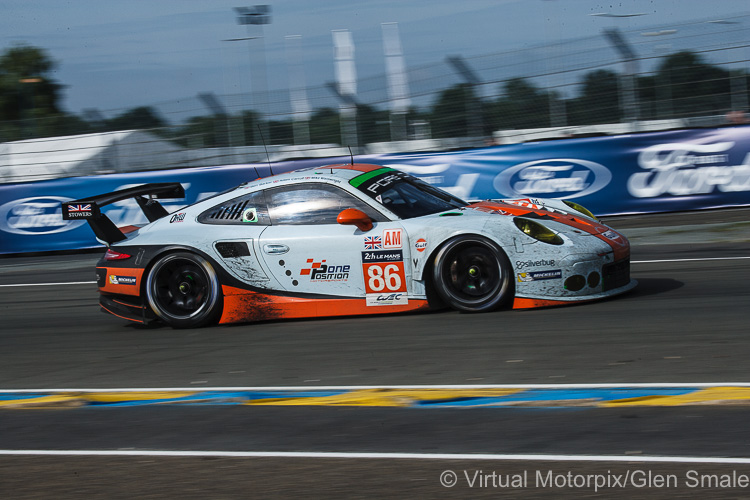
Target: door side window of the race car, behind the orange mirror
{"points": [[313, 204]]}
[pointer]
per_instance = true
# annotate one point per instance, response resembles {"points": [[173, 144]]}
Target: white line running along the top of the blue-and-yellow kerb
{"points": [[308, 388]]}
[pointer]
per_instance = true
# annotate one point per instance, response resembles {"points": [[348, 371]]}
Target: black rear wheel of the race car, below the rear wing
{"points": [[183, 290]]}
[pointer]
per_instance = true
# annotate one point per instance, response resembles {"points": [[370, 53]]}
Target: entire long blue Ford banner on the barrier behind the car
{"points": [[638, 173]]}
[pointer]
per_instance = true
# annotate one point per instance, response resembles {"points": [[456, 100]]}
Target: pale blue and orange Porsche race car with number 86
{"points": [[348, 239]]}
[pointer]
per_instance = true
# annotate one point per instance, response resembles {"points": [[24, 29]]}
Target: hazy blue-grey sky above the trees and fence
{"points": [[114, 56]]}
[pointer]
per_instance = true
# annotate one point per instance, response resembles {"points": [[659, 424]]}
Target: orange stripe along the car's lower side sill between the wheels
{"points": [[244, 305]]}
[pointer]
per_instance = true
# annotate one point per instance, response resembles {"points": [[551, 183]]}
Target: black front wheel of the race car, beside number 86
{"points": [[472, 274]]}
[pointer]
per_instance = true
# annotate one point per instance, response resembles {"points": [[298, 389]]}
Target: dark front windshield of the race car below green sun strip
{"points": [[404, 195]]}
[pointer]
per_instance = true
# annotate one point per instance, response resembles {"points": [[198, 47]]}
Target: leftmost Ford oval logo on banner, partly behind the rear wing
{"points": [[35, 216]]}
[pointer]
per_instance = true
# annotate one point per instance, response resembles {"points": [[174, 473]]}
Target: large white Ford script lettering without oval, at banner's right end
{"points": [[681, 169]]}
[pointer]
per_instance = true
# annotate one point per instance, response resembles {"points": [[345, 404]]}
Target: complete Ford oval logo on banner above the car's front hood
{"points": [[559, 178]]}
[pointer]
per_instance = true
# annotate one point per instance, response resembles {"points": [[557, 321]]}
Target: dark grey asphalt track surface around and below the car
{"points": [[686, 322]]}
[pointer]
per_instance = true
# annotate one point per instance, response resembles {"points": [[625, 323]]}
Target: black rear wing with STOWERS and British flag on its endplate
{"points": [[90, 208]]}
